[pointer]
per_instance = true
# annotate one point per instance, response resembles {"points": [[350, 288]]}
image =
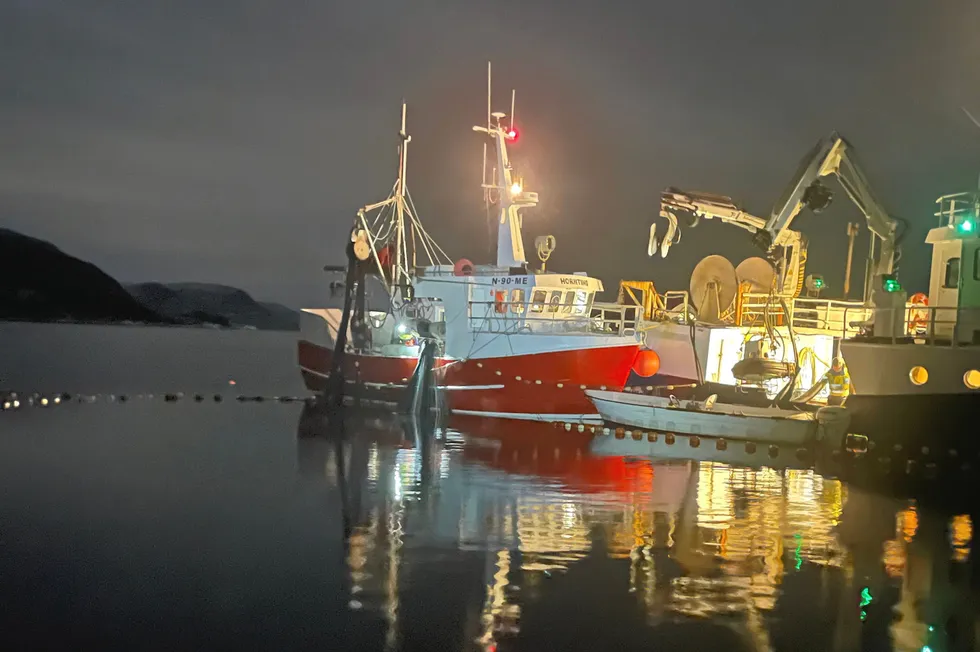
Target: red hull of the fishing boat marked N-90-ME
{"points": [[541, 386]]}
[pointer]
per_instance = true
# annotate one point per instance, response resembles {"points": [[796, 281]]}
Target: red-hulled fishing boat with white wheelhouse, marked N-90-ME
{"points": [[513, 342]]}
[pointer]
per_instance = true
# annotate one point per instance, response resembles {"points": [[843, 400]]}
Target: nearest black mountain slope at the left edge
{"points": [[39, 282]]}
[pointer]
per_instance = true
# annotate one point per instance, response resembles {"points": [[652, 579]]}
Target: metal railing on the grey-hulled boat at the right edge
{"points": [[945, 326]]}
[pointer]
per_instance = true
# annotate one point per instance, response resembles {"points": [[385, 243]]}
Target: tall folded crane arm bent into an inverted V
{"points": [[833, 155]]}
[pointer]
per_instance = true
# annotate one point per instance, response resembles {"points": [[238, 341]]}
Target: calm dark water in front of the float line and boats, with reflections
{"points": [[149, 525]]}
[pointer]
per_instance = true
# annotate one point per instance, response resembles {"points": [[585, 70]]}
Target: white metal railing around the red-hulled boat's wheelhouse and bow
{"points": [[552, 319]]}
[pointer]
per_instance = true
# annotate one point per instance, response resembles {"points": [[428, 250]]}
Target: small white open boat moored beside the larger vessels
{"points": [[708, 418]]}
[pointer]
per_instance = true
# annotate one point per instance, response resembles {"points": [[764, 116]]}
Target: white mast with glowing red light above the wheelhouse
{"points": [[510, 191]]}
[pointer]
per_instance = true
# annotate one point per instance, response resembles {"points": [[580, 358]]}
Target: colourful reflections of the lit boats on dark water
{"points": [[539, 544]]}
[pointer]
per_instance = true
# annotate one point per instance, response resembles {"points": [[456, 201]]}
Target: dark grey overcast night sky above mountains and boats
{"points": [[232, 141]]}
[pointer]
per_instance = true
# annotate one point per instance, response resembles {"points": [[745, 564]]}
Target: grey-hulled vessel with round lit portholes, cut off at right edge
{"points": [[916, 374]]}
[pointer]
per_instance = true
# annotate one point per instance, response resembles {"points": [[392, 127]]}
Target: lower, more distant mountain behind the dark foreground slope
{"points": [[232, 304]]}
